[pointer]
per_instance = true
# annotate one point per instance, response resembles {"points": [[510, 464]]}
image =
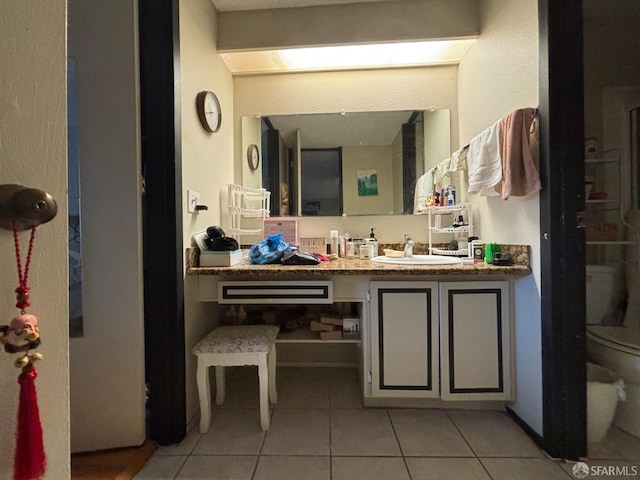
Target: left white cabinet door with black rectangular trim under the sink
{"points": [[404, 339]]}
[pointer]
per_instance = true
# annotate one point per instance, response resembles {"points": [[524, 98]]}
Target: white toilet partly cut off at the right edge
{"points": [[616, 348]]}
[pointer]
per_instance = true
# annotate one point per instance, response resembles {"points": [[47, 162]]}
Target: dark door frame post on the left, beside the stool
{"points": [[162, 219]]}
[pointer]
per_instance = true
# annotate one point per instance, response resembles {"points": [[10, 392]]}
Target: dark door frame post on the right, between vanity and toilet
{"points": [[562, 242]]}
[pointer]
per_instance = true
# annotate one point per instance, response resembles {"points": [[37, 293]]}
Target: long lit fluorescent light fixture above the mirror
{"points": [[384, 55]]}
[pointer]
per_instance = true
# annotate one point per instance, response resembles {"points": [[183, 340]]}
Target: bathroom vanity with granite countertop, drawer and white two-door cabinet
{"points": [[426, 333]]}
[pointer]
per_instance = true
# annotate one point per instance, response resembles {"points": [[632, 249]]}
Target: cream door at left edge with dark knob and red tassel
{"points": [[33, 153]]}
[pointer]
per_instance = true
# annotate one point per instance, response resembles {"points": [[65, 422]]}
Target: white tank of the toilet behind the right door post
{"points": [[603, 288]]}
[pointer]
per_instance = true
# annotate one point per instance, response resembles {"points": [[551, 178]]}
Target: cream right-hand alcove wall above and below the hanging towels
{"points": [[497, 76]]}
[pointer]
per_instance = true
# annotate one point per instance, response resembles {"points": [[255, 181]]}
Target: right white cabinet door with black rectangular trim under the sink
{"points": [[475, 341]]}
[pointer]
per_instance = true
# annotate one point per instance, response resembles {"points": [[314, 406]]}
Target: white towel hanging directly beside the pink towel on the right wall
{"points": [[483, 157]]}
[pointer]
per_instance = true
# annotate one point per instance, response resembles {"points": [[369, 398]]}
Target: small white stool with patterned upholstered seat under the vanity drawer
{"points": [[237, 346]]}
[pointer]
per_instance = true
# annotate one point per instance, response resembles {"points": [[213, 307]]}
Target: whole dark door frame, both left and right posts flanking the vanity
{"points": [[562, 243]]}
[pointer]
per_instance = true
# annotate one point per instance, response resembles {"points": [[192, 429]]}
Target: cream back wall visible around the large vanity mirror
{"points": [[370, 90]]}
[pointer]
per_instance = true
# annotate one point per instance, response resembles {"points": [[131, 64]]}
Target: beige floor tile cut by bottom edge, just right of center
{"points": [[369, 468]]}
